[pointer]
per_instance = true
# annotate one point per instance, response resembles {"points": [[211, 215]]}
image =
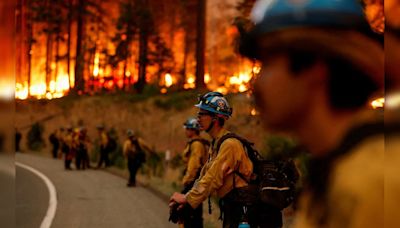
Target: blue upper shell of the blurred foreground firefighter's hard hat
{"points": [[272, 15]]}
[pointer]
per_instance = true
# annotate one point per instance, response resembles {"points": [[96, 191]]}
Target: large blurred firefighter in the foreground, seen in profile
{"points": [[321, 63]]}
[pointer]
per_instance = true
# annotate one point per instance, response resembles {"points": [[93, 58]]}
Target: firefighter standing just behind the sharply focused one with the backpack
{"points": [[195, 156]]}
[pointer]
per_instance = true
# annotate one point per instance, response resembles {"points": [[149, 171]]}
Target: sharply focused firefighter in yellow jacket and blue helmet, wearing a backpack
{"points": [[218, 175]]}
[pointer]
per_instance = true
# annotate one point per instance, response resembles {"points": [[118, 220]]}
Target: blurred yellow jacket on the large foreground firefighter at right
{"points": [[356, 190]]}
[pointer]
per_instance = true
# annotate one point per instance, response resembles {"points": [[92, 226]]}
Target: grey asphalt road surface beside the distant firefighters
{"points": [[90, 198]]}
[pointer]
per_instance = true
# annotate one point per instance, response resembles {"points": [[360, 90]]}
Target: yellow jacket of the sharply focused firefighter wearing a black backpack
{"points": [[217, 176]]}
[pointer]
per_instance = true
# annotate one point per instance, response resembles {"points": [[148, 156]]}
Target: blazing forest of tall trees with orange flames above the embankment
{"points": [[108, 45]]}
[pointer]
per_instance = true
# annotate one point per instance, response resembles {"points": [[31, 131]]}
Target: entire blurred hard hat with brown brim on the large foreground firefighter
{"points": [[335, 28]]}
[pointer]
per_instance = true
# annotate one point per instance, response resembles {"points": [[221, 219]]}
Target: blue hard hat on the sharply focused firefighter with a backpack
{"points": [[215, 102]]}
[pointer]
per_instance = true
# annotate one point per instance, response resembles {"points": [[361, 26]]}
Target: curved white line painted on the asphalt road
{"points": [[51, 210]]}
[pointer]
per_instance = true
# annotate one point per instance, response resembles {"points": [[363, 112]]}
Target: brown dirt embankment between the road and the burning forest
{"points": [[157, 119]]}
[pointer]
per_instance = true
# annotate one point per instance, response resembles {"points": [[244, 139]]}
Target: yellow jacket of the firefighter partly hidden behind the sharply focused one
{"points": [[195, 155]]}
